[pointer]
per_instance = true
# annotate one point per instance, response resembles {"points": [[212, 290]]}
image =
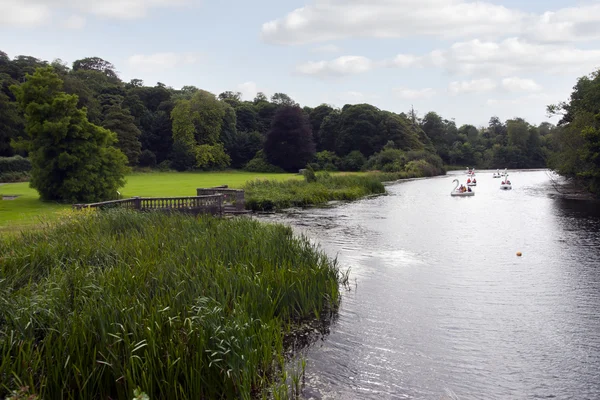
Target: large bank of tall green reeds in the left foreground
{"points": [[182, 308]]}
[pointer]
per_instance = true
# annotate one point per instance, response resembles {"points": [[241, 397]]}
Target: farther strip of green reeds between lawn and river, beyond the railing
{"points": [[266, 195]]}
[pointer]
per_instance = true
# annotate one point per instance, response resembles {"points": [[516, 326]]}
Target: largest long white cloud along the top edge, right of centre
{"points": [[337, 19]]}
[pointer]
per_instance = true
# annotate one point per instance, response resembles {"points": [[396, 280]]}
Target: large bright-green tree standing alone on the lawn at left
{"points": [[72, 159]]}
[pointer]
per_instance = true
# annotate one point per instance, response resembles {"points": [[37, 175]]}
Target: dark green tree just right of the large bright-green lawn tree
{"points": [[120, 121]]}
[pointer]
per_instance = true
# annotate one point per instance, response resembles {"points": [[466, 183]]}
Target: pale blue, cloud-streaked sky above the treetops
{"points": [[466, 60]]}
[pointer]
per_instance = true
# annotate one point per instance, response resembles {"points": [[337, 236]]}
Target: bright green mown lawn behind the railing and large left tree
{"points": [[27, 210]]}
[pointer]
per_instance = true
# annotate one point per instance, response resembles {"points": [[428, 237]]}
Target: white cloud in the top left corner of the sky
{"points": [[30, 13]]}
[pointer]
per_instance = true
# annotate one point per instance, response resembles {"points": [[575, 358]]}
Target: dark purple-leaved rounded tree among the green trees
{"points": [[290, 144]]}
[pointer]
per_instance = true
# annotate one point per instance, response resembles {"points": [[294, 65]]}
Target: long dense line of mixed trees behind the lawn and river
{"points": [[189, 128]]}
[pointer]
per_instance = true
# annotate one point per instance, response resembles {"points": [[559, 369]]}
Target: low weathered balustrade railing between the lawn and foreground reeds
{"points": [[212, 204]]}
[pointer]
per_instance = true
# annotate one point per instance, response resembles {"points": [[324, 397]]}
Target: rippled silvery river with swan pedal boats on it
{"points": [[441, 307]]}
